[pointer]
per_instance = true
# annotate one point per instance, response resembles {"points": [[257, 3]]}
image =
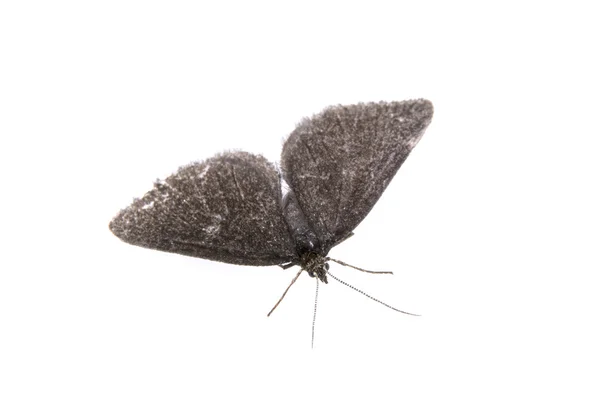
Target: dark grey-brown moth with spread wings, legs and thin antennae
{"points": [[231, 207]]}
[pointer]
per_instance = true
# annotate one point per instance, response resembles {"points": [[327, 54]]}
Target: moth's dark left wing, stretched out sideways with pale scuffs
{"points": [[227, 208]]}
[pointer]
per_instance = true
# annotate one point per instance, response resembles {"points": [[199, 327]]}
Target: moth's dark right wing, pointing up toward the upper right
{"points": [[339, 162]]}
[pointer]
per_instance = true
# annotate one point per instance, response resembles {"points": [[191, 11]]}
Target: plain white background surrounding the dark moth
{"points": [[491, 227]]}
